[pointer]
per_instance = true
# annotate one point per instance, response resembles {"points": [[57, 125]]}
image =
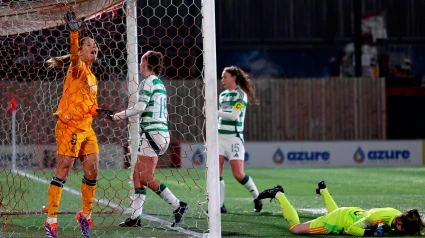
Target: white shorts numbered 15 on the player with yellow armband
{"points": [[231, 147]]}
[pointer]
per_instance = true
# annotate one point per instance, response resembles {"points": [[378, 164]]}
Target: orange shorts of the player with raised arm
{"points": [[74, 142]]}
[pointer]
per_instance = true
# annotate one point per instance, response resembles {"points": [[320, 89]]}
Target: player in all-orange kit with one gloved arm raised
{"points": [[74, 135]]}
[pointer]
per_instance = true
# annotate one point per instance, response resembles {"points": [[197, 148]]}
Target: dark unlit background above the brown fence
{"points": [[267, 38]]}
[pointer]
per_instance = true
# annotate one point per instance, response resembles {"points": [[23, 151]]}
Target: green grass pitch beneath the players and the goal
{"points": [[398, 187]]}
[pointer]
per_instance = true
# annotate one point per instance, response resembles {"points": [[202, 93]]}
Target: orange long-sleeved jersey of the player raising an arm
{"points": [[78, 103]]}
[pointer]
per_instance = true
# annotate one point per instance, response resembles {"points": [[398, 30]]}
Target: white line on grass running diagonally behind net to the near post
{"points": [[113, 205]]}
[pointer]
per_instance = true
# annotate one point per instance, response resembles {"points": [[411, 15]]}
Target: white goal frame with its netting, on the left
{"points": [[33, 31]]}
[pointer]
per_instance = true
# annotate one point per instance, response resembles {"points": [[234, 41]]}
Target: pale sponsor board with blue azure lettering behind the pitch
{"points": [[317, 154]]}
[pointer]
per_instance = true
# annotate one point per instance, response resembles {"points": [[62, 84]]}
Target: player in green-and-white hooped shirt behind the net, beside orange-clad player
{"points": [[155, 139]]}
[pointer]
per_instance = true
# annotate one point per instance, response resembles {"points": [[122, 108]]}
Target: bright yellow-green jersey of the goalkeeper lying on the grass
{"points": [[352, 220]]}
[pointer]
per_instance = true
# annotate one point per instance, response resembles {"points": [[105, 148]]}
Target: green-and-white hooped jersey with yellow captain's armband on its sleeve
{"points": [[235, 99]]}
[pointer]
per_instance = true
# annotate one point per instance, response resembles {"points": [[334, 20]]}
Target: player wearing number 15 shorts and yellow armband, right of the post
{"points": [[232, 111]]}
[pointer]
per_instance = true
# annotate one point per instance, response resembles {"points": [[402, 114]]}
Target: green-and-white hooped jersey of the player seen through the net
{"points": [[154, 94]]}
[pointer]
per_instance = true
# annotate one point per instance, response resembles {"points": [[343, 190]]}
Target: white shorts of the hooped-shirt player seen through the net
{"points": [[161, 139]]}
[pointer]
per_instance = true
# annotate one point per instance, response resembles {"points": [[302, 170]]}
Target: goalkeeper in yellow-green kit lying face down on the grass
{"points": [[347, 220]]}
